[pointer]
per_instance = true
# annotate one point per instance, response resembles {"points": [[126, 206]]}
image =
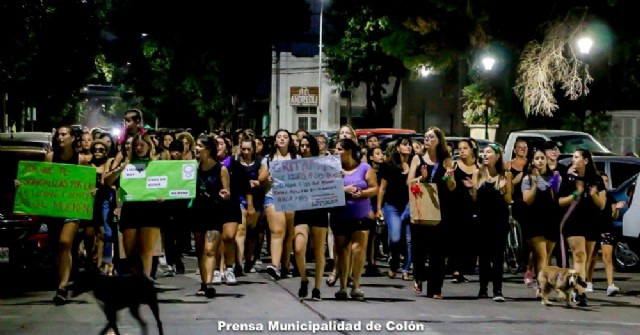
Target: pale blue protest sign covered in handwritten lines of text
{"points": [[307, 183]]}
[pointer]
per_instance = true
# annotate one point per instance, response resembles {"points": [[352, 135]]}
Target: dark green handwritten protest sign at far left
{"points": [[56, 190]]}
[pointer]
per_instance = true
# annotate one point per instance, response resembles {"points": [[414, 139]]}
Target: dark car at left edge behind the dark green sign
{"points": [[23, 238]]}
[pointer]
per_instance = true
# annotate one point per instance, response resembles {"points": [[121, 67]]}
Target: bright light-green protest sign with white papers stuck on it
{"points": [[168, 180]]}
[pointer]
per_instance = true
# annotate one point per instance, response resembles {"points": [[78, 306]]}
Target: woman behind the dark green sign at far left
{"points": [[65, 153]]}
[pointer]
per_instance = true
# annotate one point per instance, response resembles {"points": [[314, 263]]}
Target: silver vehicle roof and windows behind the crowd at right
{"points": [[566, 140]]}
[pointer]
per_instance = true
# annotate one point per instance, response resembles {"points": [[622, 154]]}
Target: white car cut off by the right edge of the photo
{"points": [[627, 226]]}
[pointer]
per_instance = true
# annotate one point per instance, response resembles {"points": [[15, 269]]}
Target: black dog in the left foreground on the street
{"points": [[126, 291]]}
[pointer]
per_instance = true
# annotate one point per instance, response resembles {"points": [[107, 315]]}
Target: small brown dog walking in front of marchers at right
{"points": [[562, 280]]}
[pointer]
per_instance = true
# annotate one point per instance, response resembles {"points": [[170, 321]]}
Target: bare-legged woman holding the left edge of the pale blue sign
{"points": [[280, 223]]}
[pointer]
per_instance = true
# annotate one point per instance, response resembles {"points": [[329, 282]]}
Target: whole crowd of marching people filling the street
{"points": [[233, 212]]}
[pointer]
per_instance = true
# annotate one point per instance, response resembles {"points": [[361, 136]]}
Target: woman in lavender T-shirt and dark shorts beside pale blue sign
{"points": [[351, 223]]}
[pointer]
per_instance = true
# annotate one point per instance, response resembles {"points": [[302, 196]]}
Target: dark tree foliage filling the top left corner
{"points": [[45, 60]]}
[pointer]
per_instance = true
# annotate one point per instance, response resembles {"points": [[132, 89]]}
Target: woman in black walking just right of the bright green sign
{"points": [[212, 193]]}
